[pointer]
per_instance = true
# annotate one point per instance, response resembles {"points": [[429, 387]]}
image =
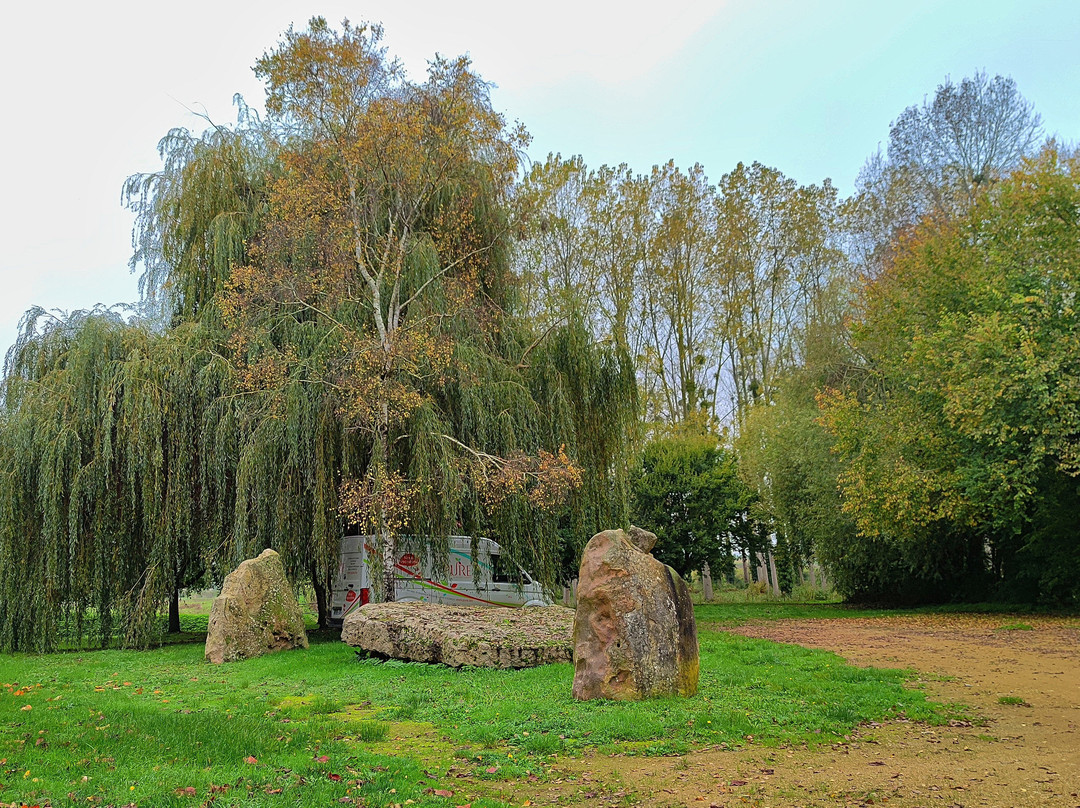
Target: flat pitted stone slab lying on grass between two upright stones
{"points": [[482, 637]]}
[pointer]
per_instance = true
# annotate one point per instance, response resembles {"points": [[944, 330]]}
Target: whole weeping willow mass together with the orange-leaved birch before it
{"points": [[329, 335]]}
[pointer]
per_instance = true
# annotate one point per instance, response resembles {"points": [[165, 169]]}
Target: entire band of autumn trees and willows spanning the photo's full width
{"points": [[367, 309]]}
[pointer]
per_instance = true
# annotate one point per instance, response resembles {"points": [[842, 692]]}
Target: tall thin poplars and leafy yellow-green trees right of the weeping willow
{"points": [[893, 372]]}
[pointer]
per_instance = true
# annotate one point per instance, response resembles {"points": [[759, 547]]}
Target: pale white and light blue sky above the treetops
{"points": [[808, 87]]}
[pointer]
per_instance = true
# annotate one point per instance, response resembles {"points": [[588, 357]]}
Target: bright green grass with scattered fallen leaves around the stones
{"points": [[326, 728]]}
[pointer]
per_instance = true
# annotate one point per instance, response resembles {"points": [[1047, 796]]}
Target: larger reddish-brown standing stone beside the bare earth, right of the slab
{"points": [[634, 632]]}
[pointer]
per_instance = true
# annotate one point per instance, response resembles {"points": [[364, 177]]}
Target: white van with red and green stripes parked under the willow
{"points": [[434, 577]]}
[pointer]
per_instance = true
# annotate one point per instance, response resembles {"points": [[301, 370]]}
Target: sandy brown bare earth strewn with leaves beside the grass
{"points": [[1016, 756]]}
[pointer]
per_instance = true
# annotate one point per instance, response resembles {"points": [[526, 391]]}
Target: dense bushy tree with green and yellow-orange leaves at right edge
{"points": [[961, 433]]}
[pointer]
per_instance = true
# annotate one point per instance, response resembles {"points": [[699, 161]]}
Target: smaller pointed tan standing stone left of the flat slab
{"points": [[256, 613]]}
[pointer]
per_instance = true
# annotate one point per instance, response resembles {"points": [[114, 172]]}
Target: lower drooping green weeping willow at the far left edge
{"points": [[109, 483]]}
